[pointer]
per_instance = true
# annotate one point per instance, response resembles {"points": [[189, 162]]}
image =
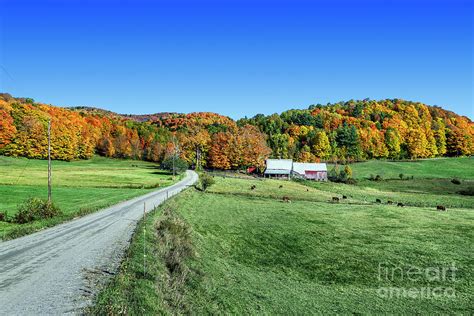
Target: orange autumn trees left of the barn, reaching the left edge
{"points": [[201, 139]]}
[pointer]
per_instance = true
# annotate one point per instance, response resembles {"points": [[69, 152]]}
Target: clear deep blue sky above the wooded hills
{"points": [[236, 57]]}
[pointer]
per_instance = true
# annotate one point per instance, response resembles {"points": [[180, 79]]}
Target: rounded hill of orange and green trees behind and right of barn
{"points": [[366, 129]]}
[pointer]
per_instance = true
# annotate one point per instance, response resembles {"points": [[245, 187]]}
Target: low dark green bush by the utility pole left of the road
{"points": [[35, 209]]}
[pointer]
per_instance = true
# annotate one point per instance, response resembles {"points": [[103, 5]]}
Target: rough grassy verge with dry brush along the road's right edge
{"points": [[150, 284]]}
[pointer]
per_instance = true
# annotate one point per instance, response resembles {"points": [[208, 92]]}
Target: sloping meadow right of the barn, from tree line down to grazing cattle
{"points": [[425, 183]]}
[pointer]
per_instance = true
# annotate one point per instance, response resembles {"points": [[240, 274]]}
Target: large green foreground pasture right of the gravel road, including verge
{"points": [[258, 255]]}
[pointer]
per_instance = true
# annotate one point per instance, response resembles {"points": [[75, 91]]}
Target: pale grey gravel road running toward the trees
{"points": [[56, 271]]}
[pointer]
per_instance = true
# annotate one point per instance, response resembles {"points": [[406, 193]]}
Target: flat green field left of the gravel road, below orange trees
{"points": [[79, 187]]}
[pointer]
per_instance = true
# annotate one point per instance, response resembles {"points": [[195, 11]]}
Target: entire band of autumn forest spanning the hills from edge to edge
{"points": [[352, 130]]}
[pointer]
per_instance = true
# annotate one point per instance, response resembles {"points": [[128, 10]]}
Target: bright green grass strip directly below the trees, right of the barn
{"points": [[448, 168]]}
